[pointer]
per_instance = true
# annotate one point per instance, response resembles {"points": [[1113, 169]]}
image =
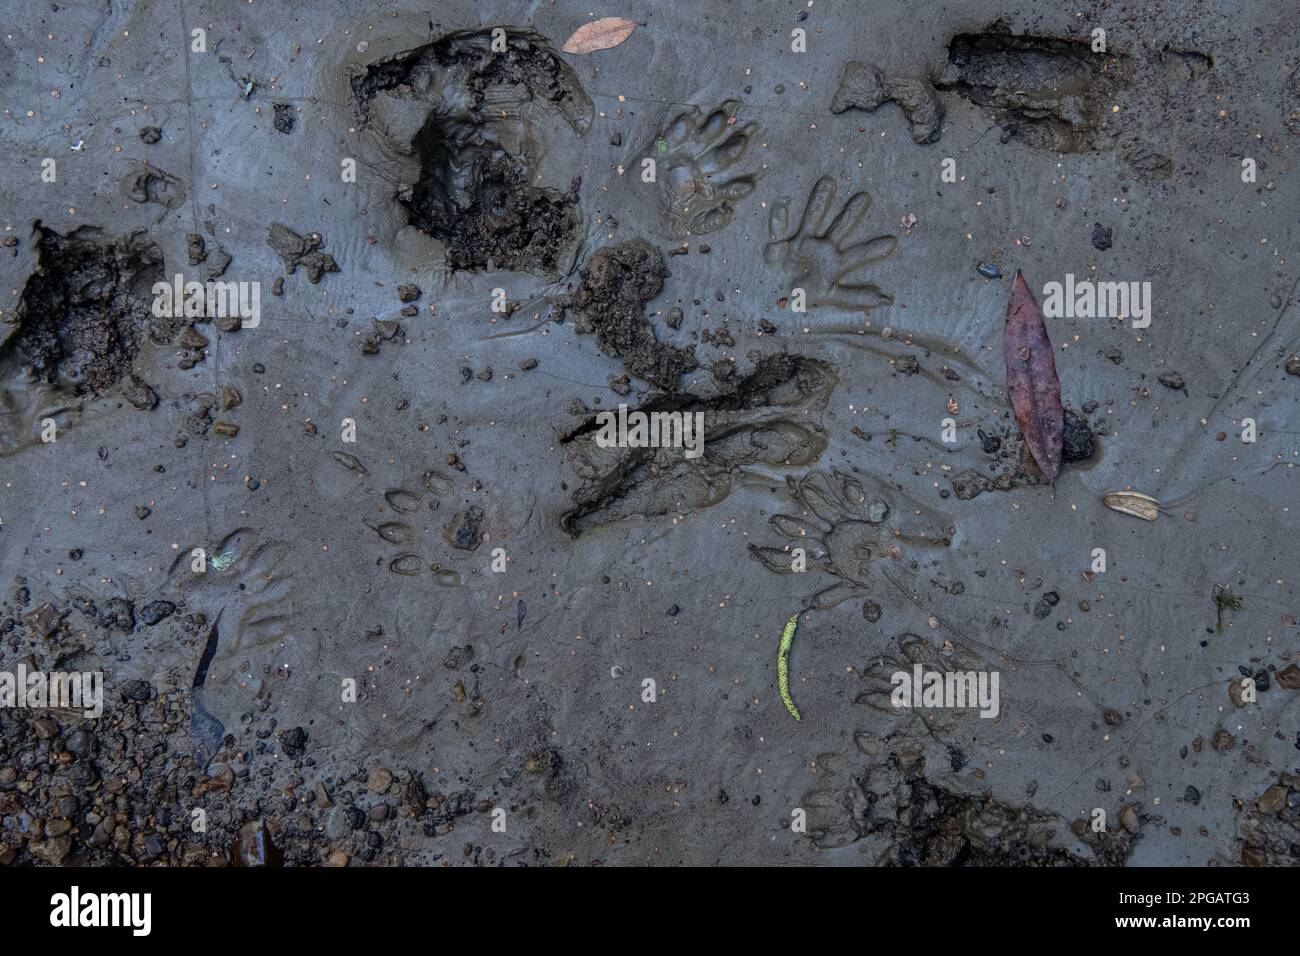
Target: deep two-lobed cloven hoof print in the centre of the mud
{"points": [[755, 425]]}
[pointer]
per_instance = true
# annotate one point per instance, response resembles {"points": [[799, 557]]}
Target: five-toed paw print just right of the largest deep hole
{"points": [[699, 158]]}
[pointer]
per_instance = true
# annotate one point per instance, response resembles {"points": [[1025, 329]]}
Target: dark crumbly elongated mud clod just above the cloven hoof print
{"points": [[616, 287]]}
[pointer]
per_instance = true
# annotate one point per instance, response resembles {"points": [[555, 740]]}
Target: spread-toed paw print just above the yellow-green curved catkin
{"points": [[850, 533]]}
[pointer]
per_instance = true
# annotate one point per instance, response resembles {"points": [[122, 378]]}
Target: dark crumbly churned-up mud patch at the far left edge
{"points": [[86, 308]]}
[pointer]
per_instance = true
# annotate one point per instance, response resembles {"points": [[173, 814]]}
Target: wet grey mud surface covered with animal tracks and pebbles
{"points": [[363, 585]]}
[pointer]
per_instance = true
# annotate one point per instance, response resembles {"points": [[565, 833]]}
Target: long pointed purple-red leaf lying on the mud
{"points": [[1032, 379]]}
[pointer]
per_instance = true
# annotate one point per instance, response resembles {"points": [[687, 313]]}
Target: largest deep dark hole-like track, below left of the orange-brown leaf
{"points": [[463, 111]]}
